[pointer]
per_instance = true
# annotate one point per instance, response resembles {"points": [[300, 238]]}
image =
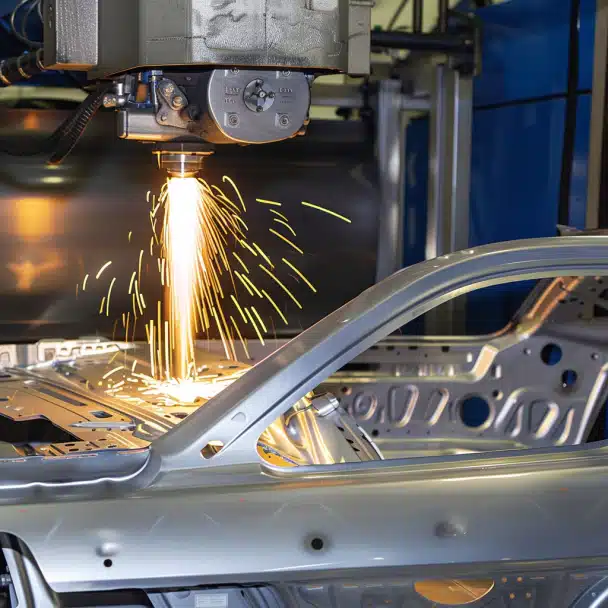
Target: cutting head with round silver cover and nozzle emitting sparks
{"points": [[187, 113]]}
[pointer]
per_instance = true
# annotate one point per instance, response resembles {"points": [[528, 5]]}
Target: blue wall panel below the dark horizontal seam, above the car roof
{"points": [[515, 171]]}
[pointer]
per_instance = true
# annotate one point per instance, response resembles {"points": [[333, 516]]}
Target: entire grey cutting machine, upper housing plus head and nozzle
{"points": [[191, 73]]}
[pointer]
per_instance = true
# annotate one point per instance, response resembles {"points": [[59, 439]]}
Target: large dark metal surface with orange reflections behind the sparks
{"points": [[57, 224]]}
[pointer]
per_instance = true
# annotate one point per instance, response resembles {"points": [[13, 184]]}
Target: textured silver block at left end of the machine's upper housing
{"points": [[71, 34]]}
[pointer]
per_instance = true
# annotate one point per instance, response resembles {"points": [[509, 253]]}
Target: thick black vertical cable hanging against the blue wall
{"points": [[563, 210]]}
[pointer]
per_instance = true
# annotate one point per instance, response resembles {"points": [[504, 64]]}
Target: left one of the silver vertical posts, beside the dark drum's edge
{"points": [[390, 136]]}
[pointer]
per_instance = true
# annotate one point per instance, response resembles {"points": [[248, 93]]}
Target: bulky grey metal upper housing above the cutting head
{"points": [[326, 35]]}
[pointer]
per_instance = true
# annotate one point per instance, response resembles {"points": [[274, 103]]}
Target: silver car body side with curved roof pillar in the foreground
{"points": [[448, 517]]}
